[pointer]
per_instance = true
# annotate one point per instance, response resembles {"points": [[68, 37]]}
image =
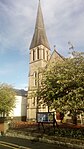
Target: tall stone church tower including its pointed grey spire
{"points": [[39, 56]]}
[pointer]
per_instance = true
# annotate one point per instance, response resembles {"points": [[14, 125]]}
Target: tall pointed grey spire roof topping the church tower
{"points": [[39, 37]]}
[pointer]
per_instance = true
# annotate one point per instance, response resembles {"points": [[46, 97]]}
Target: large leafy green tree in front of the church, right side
{"points": [[62, 86]]}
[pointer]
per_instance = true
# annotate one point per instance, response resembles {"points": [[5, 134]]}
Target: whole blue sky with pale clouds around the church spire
{"points": [[64, 22]]}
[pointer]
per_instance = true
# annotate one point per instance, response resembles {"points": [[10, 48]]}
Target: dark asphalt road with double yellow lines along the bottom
{"points": [[26, 144]]}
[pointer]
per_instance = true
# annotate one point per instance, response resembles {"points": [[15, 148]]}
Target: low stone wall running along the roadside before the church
{"points": [[61, 142]]}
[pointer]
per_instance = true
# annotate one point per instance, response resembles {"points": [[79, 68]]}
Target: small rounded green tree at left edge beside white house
{"points": [[7, 99]]}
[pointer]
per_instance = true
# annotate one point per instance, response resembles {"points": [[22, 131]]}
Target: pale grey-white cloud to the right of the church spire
{"points": [[65, 21]]}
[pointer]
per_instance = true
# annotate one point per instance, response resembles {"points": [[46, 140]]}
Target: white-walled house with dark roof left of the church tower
{"points": [[20, 110]]}
